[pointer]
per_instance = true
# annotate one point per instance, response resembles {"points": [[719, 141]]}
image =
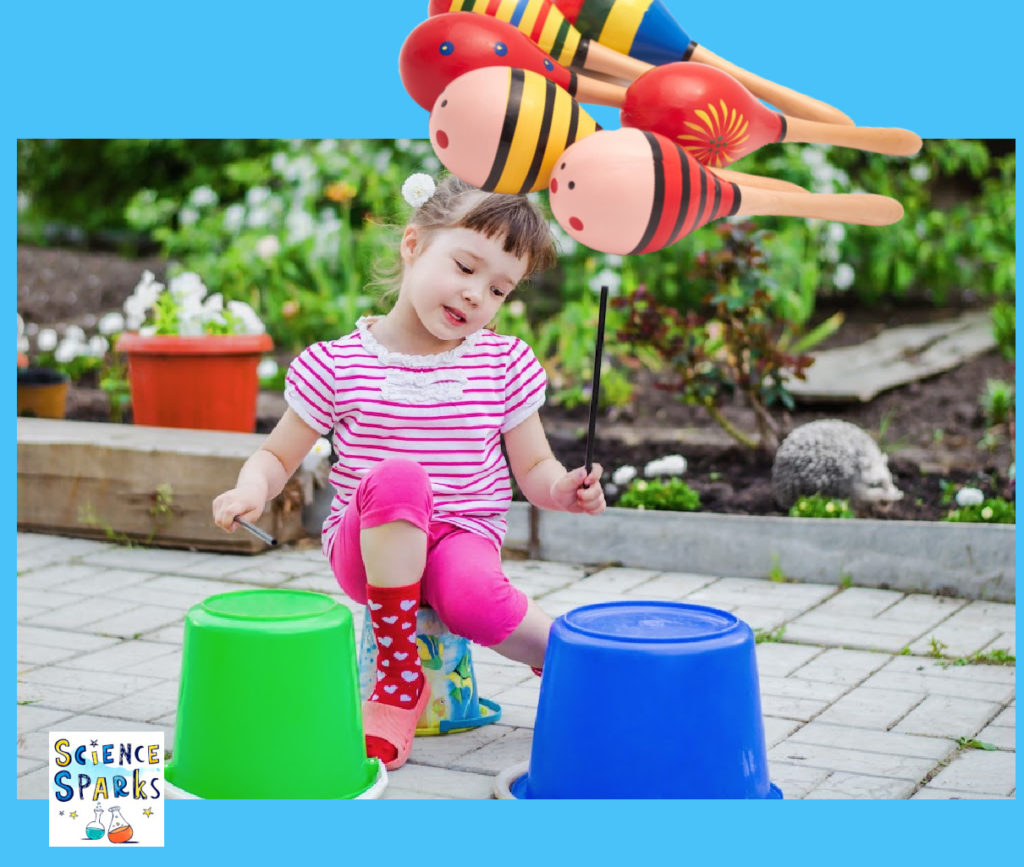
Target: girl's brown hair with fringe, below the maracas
{"points": [[456, 204]]}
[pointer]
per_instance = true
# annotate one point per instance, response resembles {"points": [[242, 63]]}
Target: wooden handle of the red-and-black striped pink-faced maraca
{"points": [[862, 208]]}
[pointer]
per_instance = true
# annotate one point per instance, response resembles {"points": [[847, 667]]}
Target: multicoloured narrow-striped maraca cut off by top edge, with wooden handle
{"points": [[544, 24]]}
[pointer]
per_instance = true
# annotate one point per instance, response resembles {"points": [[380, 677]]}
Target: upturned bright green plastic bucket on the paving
{"points": [[269, 705]]}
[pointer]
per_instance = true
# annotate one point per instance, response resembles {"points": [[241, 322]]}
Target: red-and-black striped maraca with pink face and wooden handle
{"points": [[632, 191]]}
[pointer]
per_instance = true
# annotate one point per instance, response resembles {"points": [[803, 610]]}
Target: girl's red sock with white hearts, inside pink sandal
{"points": [[400, 677]]}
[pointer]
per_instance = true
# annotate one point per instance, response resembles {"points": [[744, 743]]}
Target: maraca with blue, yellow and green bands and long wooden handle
{"points": [[646, 30]]}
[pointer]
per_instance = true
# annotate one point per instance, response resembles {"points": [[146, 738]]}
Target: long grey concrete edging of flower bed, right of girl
{"points": [[974, 561]]}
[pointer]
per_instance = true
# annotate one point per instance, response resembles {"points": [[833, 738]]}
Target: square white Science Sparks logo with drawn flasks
{"points": [[107, 789]]}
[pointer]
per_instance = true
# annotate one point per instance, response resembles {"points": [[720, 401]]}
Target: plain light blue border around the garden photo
{"points": [[209, 70]]}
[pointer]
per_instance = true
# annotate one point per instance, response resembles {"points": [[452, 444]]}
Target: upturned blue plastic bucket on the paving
{"points": [[649, 700]]}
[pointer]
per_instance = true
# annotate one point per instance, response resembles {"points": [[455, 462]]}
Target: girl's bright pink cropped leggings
{"points": [[463, 581]]}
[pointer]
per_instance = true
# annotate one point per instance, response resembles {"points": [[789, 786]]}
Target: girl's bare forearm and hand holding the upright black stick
{"points": [[544, 482]]}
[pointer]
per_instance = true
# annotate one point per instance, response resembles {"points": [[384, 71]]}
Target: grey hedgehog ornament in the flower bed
{"points": [[835, 459]]}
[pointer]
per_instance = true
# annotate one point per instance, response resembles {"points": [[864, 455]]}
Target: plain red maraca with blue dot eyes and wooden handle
{"points": [[446, 47]]}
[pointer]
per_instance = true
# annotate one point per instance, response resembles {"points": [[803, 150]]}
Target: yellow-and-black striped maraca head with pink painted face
{"points": [[501, 128]]}
